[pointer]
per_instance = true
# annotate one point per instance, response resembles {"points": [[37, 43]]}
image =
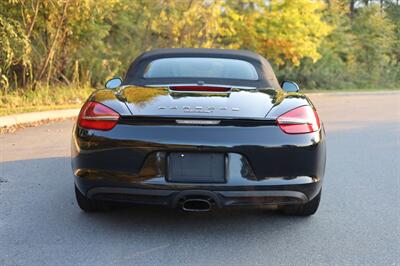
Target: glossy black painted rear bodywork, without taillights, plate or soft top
{"points": [[266, 166]]}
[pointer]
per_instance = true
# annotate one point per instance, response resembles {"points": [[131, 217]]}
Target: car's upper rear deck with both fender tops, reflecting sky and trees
{"points": [[246, 103]]}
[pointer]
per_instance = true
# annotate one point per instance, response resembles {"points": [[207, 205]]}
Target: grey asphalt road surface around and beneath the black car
{"points": [[358, 222]]}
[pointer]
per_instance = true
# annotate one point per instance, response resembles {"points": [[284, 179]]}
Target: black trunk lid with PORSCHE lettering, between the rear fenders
{"points": [[163, 102]]}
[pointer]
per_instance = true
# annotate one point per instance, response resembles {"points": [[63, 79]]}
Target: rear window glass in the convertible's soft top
{"points": [[200, 67]]}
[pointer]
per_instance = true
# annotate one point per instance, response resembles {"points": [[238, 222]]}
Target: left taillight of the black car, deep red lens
{"points": [[94, 115]]}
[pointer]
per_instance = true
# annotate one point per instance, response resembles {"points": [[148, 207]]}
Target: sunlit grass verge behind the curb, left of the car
{"points": [[43, 99]]}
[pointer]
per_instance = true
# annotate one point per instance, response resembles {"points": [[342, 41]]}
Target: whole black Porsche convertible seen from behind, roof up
{"points": [[198, 129]]}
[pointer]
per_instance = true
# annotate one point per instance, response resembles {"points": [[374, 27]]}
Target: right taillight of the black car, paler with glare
{"points": [[300, 120]]}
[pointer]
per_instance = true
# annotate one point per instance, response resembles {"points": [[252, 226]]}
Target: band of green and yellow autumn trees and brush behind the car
{"points": [[320, 44]]}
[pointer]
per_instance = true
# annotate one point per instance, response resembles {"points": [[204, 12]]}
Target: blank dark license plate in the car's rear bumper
{"points": [[196, 167]]}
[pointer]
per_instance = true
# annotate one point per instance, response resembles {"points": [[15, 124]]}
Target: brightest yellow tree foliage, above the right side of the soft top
{"points": [[286, 30]]}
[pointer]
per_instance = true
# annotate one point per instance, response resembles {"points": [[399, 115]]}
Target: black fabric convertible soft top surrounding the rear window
{"points": [[264, 70]]}
